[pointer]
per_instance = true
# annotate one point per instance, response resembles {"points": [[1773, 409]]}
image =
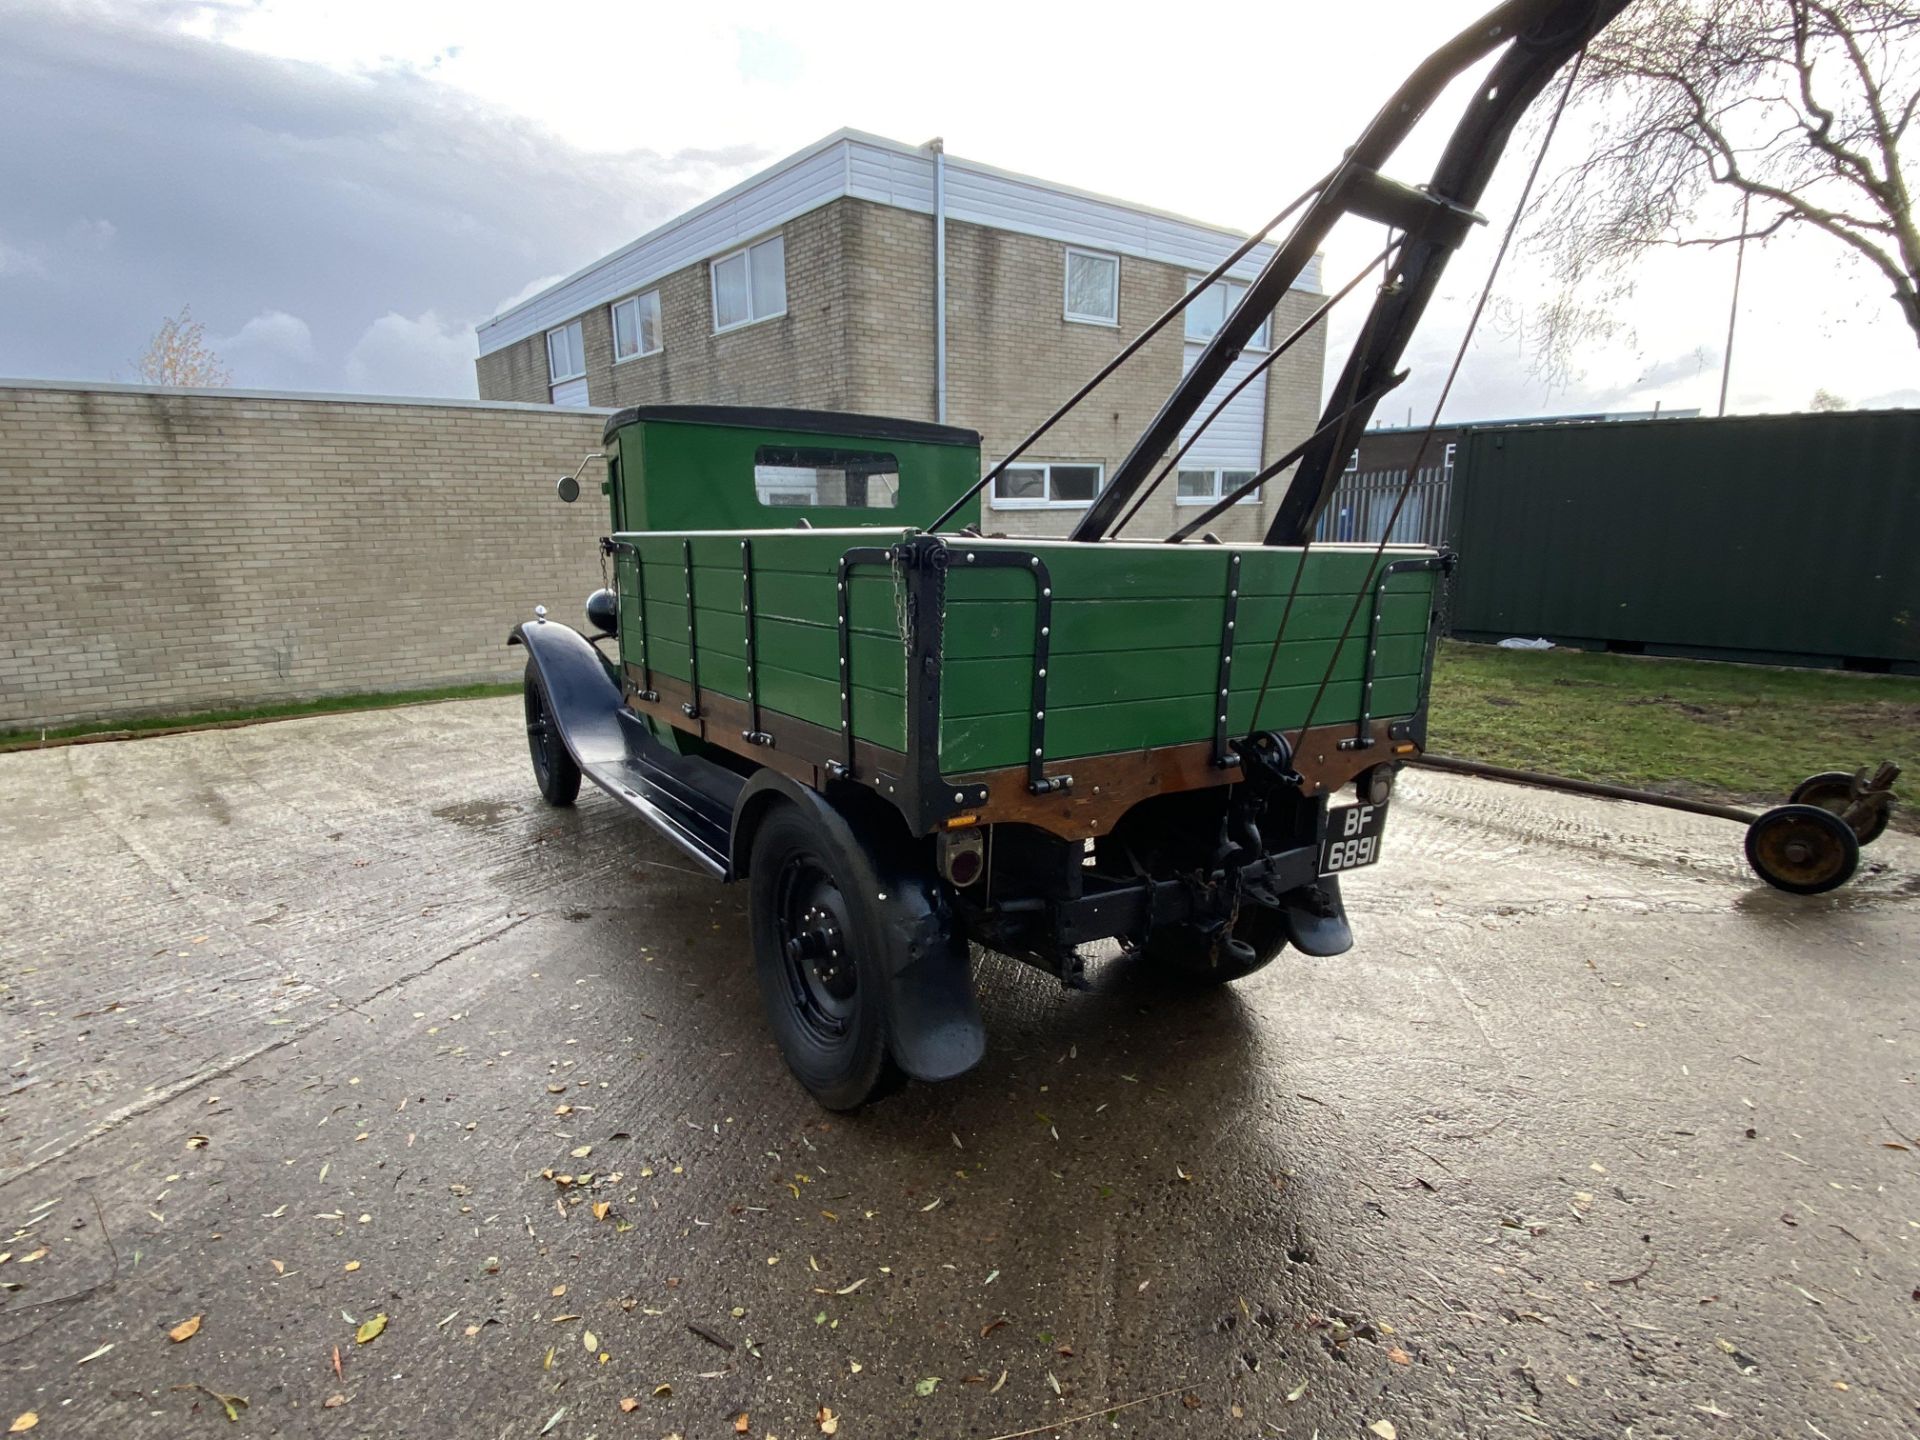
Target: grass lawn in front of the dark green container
{"points": [[1727, 732]]}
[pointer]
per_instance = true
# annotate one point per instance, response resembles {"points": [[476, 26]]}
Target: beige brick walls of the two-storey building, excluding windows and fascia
{"points": [[859, 335]]}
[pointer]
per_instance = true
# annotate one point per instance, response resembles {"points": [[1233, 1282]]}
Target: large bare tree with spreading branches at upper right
{"points": [[1733, 120]]}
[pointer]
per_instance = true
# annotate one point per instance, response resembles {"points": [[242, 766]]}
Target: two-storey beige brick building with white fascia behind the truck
{"points": [[817, 285]]}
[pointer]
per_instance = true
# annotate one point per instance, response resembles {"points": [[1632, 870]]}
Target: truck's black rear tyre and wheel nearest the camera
{"points": [[821, 967]]}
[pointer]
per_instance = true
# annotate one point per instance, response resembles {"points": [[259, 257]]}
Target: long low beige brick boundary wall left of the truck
{"points": [[172, 552]]}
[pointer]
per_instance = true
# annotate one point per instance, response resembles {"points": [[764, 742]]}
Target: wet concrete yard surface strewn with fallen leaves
{"points": [[306, 1024]]}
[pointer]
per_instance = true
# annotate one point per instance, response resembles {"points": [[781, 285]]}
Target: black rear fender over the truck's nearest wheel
{"points": [[936, 1028]]}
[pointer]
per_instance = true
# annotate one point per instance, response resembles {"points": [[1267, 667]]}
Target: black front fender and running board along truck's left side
{"points": [[683, 796]]}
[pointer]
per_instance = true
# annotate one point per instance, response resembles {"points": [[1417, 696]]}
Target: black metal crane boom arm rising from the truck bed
{"points": [[1539, 37]]}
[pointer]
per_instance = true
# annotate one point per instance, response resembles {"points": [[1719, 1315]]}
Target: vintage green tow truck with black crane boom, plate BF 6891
{"points": [[815, 675]]}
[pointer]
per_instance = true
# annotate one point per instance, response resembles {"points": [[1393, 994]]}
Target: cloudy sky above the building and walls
{"points": [[343, 191]]}
